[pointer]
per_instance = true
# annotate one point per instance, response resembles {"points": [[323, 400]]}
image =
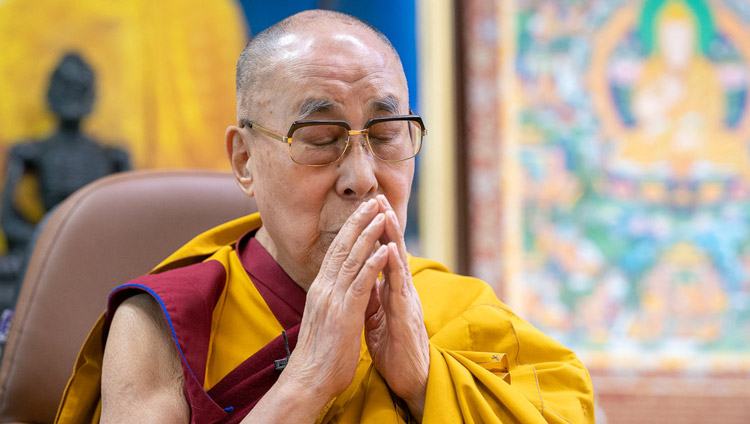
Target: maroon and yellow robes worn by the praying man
{"points": [[226, 302]]}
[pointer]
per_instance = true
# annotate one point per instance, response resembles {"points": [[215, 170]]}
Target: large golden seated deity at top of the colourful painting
{"points": [[679, 107]]}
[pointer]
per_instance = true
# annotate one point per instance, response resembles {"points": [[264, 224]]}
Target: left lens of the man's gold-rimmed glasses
{"points": [[318, 144]]}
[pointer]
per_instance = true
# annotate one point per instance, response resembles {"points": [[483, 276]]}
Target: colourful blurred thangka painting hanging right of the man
{"points": [[633, 146]]}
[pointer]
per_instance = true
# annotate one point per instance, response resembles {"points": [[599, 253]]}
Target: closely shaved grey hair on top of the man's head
{"points": [[260, 57]]}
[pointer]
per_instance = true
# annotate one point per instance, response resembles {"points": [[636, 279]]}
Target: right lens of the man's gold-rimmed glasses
{"points": [[395, 140]]}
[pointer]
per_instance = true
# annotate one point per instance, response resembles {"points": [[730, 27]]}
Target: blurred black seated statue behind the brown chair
{"points": [[61, 163]]}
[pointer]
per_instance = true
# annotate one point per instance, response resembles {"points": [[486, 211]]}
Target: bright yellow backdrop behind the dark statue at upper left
{"points": [[165, 73]]}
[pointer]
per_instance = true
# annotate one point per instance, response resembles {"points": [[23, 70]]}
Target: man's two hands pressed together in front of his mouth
{"points": [[347, 296]]}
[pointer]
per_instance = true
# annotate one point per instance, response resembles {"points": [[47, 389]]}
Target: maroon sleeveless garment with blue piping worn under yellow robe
{"points": [[188, 296]]}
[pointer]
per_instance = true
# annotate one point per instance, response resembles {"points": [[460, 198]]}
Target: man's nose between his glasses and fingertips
{"points": [[357, 171]]}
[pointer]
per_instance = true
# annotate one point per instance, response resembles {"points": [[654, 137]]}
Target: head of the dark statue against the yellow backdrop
{"points": [[71, 88]]}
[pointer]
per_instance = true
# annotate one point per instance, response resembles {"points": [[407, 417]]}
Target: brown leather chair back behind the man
{"points": [[109, 232]]}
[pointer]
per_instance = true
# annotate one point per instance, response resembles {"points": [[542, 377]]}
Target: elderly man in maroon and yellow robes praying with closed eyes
{"points": [[325, 143]]}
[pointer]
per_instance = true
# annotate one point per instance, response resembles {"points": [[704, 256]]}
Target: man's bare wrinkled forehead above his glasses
{"points": [[319, 69]]}
